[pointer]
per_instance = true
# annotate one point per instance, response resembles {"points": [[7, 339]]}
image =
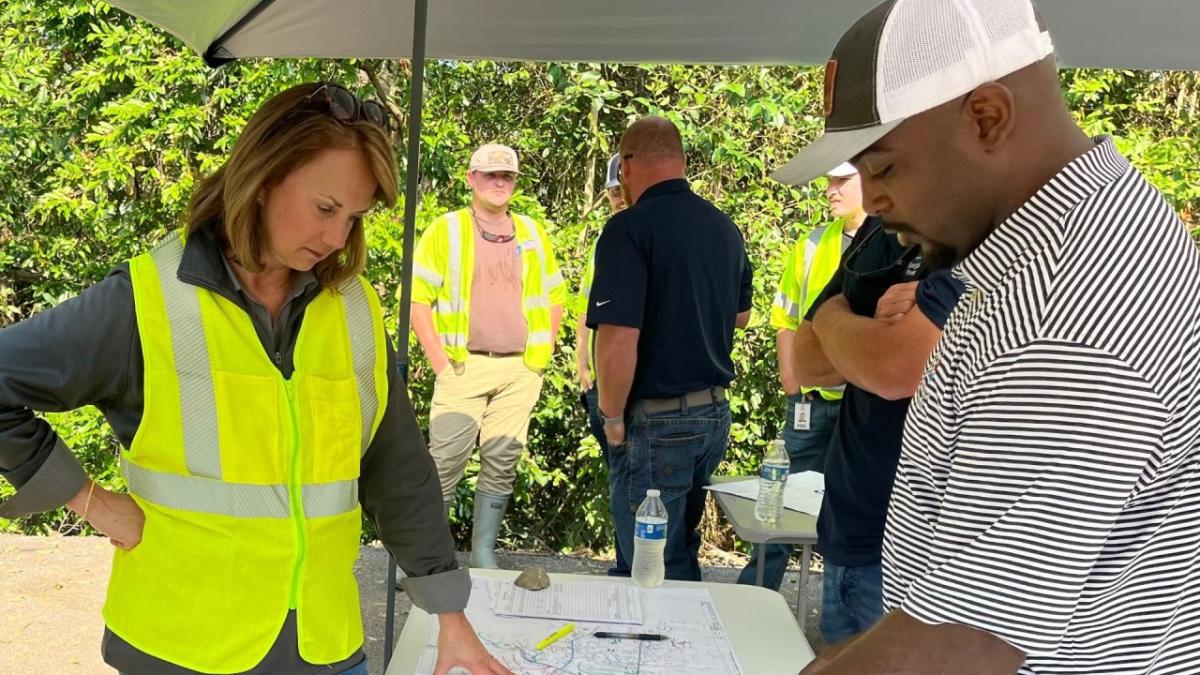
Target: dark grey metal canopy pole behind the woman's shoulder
{"points": [[412, 171]]}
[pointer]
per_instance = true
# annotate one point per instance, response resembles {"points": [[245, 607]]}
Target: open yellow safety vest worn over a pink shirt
{"points": [[443, 268]]}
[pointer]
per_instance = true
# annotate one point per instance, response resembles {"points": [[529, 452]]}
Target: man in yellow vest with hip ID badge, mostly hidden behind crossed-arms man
{"points": [[812, 411]]}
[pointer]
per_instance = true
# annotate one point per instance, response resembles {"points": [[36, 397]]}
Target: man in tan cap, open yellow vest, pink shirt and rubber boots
{"points": [[488, 302]]}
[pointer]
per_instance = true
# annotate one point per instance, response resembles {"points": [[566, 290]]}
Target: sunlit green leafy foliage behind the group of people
{"points": [[106, 123]]}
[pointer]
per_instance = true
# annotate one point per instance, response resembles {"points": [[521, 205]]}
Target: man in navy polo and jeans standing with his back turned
{"points": [[673, 280]]}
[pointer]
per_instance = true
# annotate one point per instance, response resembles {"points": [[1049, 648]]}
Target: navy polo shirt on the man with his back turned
{"points": [[675, 267]]}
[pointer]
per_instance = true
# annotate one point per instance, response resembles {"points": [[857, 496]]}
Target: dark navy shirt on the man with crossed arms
{"points": [[865, 449]]}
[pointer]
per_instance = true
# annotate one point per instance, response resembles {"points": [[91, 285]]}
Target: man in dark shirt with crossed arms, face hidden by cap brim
{"points": [[874, 327]]}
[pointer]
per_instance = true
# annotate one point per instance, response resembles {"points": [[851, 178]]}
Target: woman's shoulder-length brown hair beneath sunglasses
{"points": [[284, 135]]}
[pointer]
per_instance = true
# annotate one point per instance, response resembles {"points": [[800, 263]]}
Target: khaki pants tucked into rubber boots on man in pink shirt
{"points": [[489, 399]]}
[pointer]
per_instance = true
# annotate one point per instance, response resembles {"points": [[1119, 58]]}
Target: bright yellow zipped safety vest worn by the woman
{"points": [[249, 481]]}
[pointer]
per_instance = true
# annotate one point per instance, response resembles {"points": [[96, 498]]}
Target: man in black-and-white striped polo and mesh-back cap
{"points": [[1046, 511]]}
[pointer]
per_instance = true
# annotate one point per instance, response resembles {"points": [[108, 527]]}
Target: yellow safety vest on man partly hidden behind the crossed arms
{"points": [[811, 265]]}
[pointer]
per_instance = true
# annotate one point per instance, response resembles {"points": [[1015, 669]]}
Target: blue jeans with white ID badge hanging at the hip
{"points": [[808, 451]]}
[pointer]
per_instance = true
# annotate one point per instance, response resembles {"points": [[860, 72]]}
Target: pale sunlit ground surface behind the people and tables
{"points": [[52, 590]]}
